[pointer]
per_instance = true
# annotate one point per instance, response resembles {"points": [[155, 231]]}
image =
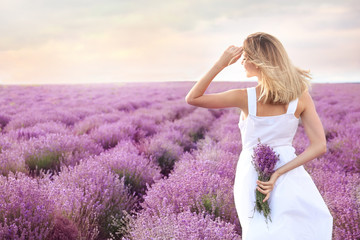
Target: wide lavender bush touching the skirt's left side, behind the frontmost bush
{"points": [[199, 191]]}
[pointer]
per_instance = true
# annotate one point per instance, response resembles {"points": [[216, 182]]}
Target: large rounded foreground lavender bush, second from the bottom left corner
{"points": [[91, 195]]}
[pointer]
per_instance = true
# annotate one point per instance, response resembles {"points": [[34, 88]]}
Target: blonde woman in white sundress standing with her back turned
{"points": [[271, 111]]}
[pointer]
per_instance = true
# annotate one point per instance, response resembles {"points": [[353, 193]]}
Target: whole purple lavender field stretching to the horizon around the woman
{"points": [[135, 161]]}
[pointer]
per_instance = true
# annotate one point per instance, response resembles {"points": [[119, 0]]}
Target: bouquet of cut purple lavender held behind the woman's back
{"points": [[264, 160]]}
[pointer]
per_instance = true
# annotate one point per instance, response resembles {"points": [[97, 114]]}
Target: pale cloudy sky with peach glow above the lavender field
{"points": [[91, 41]]}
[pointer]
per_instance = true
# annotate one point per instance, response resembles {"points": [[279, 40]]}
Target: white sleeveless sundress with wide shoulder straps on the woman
{"points": [[298, 211]]}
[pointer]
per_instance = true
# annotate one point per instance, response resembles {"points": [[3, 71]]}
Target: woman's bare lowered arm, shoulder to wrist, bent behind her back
{"points": [[315, 132]]}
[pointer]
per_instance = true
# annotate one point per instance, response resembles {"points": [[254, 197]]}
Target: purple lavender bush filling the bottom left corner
{"points": [[26, 212]]}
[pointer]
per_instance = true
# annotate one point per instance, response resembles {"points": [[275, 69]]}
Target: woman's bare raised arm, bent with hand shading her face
{"points": [[230, 98]]}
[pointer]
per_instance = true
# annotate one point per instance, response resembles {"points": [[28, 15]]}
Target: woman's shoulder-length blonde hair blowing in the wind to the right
{"points": [[281, 82]]}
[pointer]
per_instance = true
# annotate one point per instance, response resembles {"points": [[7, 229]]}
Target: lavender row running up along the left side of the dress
{"points": [[196, 200]]}
